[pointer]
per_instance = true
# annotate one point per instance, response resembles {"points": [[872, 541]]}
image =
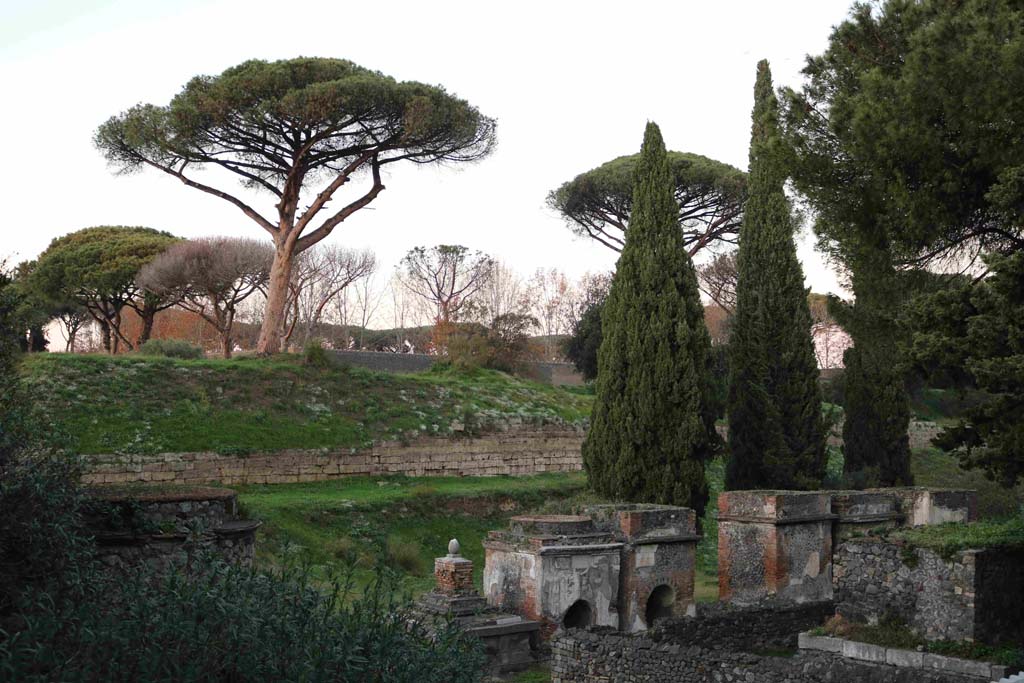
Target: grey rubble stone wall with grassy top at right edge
{"points": [[975, 595]]}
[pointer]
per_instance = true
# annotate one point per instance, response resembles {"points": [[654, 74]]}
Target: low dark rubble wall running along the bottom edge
{"points": [[581, 657]]}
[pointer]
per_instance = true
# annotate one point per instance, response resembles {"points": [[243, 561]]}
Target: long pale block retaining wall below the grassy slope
{"points": [[522, 450]]}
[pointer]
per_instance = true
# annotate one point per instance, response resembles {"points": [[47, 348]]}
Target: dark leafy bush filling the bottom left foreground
{"points": [[232, 624]]}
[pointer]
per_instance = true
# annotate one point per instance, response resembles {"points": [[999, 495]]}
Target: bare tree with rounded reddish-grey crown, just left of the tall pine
{"points": [[210, 277]]}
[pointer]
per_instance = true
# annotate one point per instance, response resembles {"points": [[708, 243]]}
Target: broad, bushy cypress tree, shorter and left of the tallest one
{"points": [[653, 426]]}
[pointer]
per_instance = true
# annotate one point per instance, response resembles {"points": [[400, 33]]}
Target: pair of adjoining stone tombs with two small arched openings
{"points": [[620, 566]]}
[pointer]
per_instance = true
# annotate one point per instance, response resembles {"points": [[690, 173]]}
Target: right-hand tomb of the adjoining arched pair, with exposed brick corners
{"points": [[658, 565]]}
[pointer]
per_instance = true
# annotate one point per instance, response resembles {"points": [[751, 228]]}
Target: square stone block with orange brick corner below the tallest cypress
{"points": [[775, 543]]}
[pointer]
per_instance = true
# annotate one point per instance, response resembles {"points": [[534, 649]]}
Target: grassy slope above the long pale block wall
{"points": [[140, 405]]}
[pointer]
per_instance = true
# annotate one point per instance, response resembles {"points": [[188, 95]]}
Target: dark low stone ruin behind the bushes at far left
{"points": [[164, 529]]}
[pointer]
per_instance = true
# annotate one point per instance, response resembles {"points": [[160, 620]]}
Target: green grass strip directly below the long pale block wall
{"points": [[400, 523]]}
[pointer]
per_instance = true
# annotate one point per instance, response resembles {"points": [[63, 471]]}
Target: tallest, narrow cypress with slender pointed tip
{"points": [[777, 434]]}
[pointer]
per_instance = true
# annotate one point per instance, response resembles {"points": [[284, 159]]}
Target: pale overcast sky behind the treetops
{"points": [[572, 84]]}
